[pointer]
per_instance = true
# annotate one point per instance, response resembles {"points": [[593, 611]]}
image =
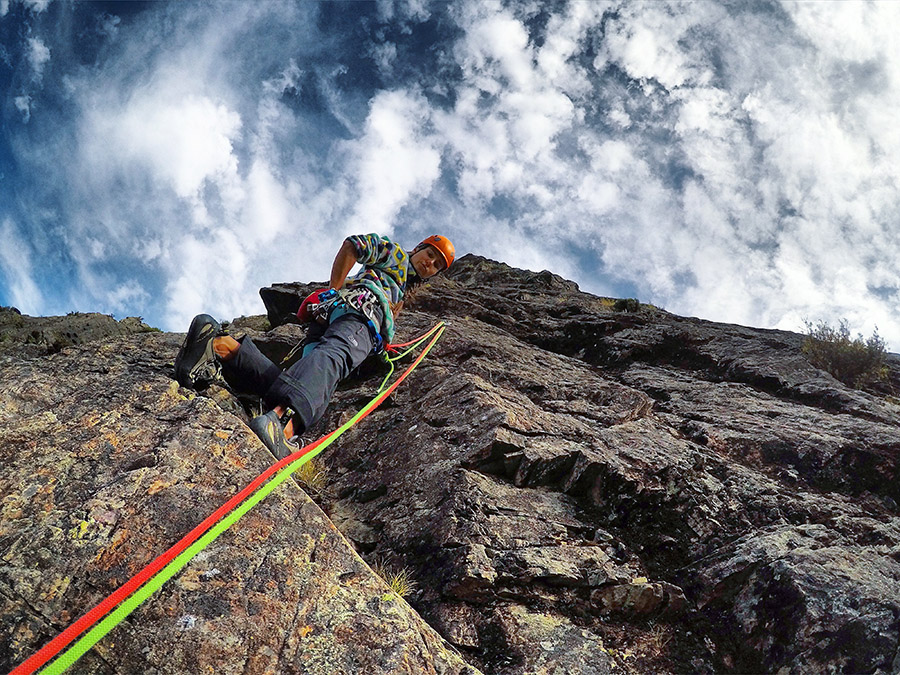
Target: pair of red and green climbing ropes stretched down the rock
{"points": [[118, 605]]}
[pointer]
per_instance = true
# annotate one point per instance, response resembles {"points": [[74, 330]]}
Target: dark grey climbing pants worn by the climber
{"points": [[308, 385]]}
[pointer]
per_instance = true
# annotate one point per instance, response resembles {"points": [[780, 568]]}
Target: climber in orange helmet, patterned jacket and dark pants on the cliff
{"points": [[351, 322]]}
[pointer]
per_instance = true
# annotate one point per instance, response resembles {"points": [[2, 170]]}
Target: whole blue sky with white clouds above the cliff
{"points": [[729, 160]]}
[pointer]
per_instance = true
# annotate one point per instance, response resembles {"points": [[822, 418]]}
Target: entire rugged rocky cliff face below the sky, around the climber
{"points": [[575, 487]]}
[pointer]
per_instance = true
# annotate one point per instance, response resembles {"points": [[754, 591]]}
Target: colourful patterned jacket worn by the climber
{"points": [[385, 272]]}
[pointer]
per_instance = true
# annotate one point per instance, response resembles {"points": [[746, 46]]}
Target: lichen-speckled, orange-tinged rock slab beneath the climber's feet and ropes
{"points": [[104, 469]]}
